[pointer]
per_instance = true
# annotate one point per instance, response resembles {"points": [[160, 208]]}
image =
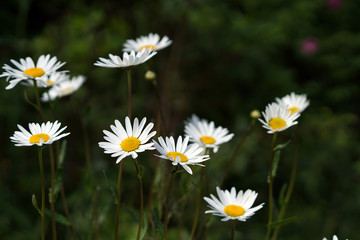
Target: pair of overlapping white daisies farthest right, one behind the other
{"points": [[281, 115]]}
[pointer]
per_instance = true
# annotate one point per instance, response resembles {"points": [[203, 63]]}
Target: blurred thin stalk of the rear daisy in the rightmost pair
{"points": [[289, 190]]}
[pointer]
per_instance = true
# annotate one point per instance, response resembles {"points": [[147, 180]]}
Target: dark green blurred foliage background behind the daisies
{"points": [[227, 58]]}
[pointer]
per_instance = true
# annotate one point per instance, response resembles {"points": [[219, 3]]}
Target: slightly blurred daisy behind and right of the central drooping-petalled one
{"points": [[205, 133]]}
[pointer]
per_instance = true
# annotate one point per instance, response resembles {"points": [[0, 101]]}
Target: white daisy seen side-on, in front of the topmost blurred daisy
{"points": [[128, 60]]}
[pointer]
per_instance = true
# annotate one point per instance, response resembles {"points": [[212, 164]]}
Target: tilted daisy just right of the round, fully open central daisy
{"points": [[180, 153]]}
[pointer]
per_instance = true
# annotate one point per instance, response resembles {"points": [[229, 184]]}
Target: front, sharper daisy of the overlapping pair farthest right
{"points": [[278, 118]]}
